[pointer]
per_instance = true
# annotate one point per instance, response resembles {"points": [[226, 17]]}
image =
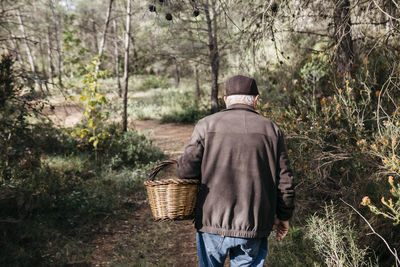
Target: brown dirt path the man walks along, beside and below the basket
{"points": [[135, 239]]}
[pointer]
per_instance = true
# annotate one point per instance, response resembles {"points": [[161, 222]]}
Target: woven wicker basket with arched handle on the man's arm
{"points": [[171, 199]]}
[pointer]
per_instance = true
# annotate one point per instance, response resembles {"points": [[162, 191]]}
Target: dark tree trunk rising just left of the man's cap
{"points": [[213, 50]]}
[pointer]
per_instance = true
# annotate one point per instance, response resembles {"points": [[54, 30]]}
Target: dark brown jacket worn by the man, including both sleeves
{"points": [[241, 160]]}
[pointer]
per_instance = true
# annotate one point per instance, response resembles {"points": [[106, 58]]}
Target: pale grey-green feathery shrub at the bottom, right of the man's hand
{"points": [[335, 241]]}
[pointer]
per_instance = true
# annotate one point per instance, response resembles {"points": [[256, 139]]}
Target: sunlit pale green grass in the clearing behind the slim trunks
{"points": [[149, 98]]}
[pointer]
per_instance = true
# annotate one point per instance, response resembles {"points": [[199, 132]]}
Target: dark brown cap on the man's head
{"points": [[241, 85]]}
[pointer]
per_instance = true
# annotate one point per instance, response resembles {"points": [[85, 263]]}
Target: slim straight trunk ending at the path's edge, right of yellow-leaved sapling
{"points": [[126, 65]]}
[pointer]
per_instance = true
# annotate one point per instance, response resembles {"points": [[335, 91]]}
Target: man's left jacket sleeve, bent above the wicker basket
{"points": [[189, 164]]}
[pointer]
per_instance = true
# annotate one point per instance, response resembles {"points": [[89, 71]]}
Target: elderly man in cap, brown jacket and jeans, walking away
{"points": [[246, 182]]}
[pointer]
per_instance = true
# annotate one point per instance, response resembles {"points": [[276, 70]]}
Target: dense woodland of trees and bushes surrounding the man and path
{"points": [[329, 76]]}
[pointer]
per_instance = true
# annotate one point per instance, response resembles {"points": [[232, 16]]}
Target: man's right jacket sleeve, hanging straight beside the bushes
{"points": [[285, 183]]}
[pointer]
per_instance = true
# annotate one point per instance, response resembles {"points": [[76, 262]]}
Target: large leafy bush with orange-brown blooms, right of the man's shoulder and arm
{"points": [[343, 138]]}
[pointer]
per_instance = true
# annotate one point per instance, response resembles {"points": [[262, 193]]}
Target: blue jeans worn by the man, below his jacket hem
{"points": [[213, 249]]}
